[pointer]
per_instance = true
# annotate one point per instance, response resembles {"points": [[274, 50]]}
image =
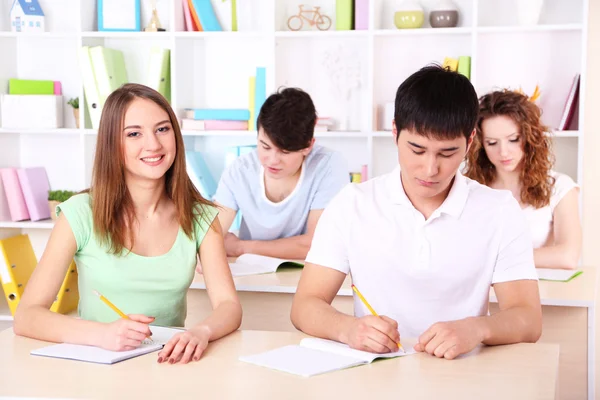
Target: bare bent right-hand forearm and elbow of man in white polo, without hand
{"points": [[520, 315]]}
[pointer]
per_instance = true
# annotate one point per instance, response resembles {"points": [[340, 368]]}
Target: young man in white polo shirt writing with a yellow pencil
{"points": [[423, 243]]}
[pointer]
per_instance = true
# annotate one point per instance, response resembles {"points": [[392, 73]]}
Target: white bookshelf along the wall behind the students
{"points": [[211, 69]]}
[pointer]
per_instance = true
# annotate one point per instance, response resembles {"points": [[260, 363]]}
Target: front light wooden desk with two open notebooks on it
{"points": [[522, 371]]}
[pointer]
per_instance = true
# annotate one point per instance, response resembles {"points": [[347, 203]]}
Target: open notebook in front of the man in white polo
{"points": [[318, 356]]}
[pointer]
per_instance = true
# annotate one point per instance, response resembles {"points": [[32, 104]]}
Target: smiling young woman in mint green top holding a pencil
{"points": [[135, 236]]}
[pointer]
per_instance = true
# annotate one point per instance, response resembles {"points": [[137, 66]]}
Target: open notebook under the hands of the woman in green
{"points": [[160, 337]]}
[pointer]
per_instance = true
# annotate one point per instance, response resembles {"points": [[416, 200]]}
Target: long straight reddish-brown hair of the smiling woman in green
{"points": [[112, 205]]}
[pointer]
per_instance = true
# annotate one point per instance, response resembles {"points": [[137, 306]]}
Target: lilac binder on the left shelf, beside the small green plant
{"points": [[35, 186]]}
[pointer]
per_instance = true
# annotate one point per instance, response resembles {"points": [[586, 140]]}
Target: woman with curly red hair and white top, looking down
{"points": [[512, 151]]}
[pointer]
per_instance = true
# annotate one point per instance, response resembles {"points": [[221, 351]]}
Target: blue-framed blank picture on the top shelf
{"points": [[119, 16]]}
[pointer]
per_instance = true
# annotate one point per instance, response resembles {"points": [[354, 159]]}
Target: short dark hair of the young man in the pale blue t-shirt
{"points": [[288, 118]]}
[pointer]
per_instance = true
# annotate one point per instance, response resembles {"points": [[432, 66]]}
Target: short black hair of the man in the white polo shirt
{"points": [[437, 103]]}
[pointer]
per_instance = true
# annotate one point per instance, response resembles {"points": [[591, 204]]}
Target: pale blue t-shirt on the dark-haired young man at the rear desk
{"points": [[324, 174]]}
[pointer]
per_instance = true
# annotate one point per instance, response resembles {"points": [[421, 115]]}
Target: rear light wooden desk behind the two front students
{"points": [[568, 317]]}
